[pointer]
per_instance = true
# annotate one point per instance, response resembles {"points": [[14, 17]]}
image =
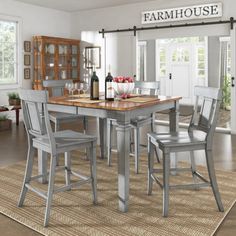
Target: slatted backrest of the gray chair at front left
{"points": [[35, 114]]}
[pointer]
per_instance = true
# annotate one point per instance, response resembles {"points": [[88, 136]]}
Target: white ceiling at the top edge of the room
{"points": [[77, 5]]}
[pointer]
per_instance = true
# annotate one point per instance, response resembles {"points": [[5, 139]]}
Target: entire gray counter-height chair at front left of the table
{"points": [[40, 136]]}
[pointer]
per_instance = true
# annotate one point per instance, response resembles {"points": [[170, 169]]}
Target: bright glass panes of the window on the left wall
{"points": [[9, 76]]}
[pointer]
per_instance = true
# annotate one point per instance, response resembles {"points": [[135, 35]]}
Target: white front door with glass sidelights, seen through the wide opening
{"points": [[181, 66]]}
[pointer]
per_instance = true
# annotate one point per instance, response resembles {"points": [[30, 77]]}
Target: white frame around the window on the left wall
{"points": [[19, 67]]}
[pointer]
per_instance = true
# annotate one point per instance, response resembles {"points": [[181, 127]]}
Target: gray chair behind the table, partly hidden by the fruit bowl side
{"points": [[141, 87]]}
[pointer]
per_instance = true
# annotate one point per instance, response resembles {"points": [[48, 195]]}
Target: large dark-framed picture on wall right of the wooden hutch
{"points": [[93, 57]]}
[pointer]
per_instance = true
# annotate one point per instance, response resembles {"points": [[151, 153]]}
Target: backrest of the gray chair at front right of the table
{"points": [[205, 119]]}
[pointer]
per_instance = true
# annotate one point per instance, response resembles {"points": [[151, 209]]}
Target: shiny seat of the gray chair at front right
{"points": [[177, 139]]}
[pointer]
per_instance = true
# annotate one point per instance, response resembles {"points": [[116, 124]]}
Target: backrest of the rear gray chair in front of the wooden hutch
{"points": [[56, 86]]}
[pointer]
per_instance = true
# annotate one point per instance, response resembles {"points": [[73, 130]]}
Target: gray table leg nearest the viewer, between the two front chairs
{"points": [[123, 151]]}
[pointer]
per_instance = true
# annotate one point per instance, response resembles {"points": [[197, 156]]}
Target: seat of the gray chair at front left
{"points": [[64, 139]]}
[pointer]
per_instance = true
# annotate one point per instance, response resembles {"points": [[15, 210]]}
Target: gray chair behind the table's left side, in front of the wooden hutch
{"points": [[57, 89]]}
